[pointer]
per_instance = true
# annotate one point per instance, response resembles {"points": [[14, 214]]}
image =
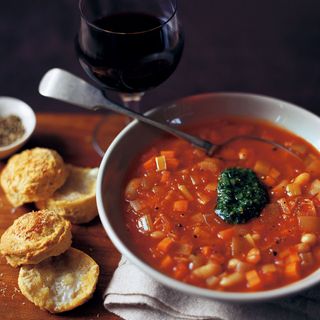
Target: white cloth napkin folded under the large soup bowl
{"points": [[133, 295]]}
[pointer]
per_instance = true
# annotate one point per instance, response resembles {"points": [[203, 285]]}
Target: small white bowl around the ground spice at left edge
{"points": [[13, 106]]}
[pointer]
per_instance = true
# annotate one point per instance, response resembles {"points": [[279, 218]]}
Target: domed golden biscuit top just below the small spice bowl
{"points": [[33, 175]]}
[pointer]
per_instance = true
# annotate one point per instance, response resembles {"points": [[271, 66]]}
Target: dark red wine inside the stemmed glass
{"points": [[129, 52]]}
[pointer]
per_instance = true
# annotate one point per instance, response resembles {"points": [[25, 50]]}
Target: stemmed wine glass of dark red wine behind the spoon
{"points": [[128, 46]]}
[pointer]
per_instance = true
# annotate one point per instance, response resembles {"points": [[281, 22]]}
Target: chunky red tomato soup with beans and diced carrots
{"points": [[171, 196]]}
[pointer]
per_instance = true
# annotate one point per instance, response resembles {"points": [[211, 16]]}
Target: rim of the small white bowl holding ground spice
{"points": [[27, 133]]}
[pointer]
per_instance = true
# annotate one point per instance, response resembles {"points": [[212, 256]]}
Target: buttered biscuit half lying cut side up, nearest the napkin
{"points": [[60, 283]]}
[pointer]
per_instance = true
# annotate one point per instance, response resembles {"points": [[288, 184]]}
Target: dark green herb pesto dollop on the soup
{"points": [[241, 195]]}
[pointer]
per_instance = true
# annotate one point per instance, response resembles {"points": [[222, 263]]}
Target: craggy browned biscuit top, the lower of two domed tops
{"points": [[34, 237]]}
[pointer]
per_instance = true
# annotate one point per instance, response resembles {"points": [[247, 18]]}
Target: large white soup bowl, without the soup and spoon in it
{"points": [[137, 136]]}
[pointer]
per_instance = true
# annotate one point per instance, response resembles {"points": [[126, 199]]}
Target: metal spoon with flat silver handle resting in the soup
{"points": [[62, 85]]}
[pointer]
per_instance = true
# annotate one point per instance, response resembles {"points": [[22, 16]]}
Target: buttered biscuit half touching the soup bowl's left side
{"points": [[76, 199]]}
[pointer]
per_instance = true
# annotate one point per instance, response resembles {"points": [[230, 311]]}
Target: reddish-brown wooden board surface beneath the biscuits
{"points": [[71, 136]]}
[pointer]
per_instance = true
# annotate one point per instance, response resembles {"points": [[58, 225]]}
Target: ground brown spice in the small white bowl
{"points": [[11, 129]]}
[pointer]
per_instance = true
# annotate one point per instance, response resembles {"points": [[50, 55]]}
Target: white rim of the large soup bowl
{"points": [[257, 296]]}
